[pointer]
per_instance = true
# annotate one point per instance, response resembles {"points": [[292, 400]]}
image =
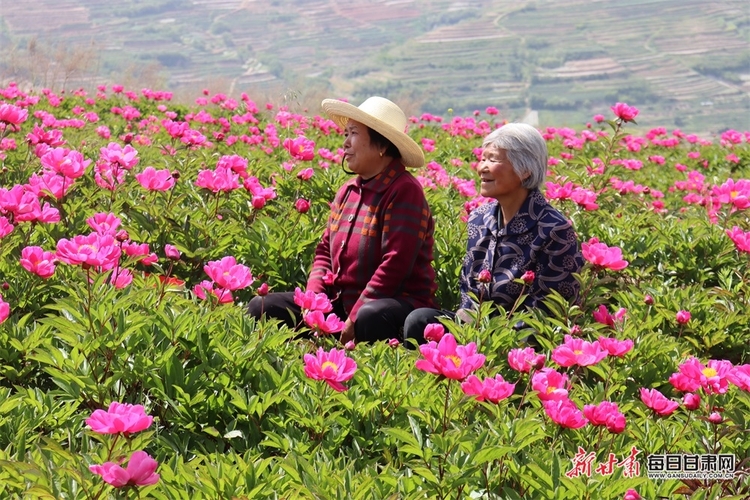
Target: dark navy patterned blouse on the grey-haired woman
{"points": [[537, 238]]}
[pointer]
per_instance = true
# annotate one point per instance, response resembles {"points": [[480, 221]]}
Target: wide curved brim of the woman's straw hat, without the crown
{"points": [[341, 112]]}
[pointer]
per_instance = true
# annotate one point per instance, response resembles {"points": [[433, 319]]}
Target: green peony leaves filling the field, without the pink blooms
{"points": [[234, 414]]}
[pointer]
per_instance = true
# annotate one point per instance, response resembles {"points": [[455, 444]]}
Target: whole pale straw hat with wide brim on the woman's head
{"points": [[382, 115]]}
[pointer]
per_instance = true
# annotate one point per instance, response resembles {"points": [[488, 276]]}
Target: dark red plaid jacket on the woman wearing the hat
{"points": [[378, 243]]}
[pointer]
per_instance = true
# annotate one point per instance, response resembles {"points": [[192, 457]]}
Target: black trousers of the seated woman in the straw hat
{"points": [[380, 319]]}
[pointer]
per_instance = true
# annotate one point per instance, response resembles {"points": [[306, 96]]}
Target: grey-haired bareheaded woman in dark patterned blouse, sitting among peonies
{"points": [[516, 233]]}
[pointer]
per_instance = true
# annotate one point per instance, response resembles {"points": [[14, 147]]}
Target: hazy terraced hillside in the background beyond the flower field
{"points": [[683, 62]]}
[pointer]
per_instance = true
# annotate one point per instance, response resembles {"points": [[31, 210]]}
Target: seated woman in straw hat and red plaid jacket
{"points": [[374, 260]]}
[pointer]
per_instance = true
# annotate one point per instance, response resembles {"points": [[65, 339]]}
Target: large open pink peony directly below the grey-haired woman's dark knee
{"points": [[449, 359]]}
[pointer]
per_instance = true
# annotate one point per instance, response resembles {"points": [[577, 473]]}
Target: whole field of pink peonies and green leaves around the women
{"points": [[134, 230]]}
